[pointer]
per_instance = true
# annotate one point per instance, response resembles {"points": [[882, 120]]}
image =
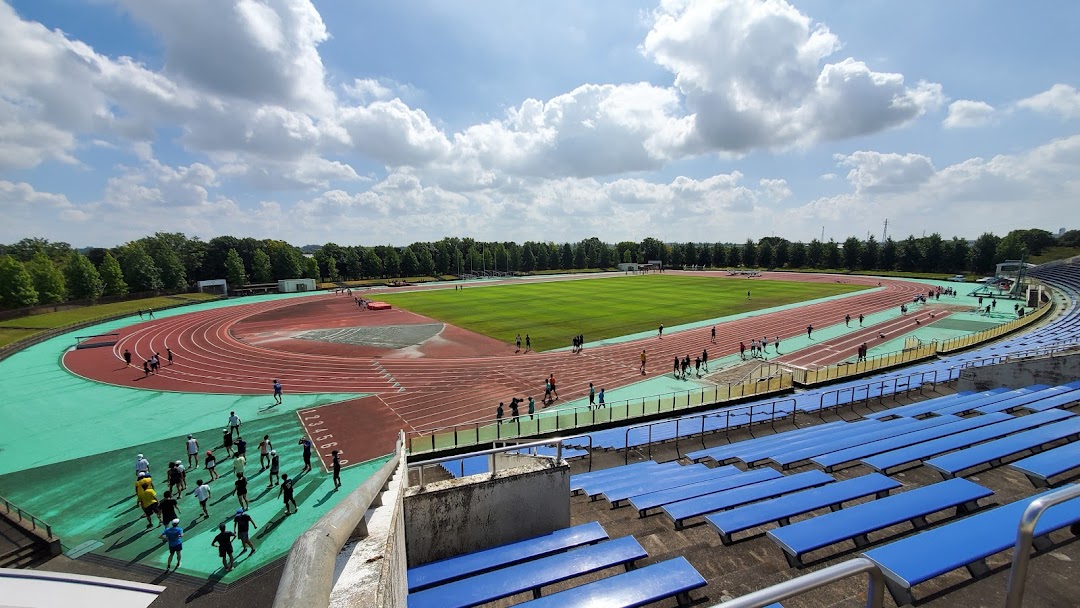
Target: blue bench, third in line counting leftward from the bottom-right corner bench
{"points": [[785, 508]]}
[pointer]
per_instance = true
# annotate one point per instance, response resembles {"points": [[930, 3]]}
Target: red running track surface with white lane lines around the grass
{"points": [[456, 379]]}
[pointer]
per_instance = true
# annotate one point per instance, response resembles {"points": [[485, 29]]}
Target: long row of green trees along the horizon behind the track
{"points": [[37, 272]]}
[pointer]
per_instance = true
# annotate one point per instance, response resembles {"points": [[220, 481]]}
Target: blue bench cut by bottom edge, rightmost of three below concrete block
{"points": [[637, 588]]}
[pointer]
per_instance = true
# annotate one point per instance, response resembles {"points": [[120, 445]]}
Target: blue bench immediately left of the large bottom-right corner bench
{"points": [[855, 523]]}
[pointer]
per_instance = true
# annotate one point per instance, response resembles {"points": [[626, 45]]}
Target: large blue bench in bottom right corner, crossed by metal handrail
{"points": [[964, 544]]}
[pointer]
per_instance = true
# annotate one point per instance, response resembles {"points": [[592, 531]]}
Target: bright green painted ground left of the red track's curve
{"points": [[69, 448]]}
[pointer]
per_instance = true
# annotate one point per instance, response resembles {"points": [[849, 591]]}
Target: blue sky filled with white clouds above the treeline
{"points": [[367, 124]]}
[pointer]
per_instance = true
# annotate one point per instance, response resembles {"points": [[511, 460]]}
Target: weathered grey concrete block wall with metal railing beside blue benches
{"points": [[449, 519]]}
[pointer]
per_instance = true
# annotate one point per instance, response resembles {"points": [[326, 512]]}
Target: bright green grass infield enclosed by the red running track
{"points": [[553, 313]]}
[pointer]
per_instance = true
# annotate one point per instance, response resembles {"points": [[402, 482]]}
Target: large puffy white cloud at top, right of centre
{"points": [[753, 77]]}
